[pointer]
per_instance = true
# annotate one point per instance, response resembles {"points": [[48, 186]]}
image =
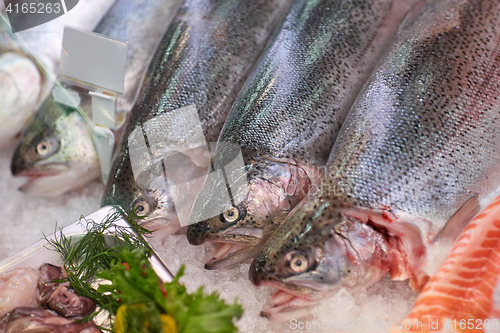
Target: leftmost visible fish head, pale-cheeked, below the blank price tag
{"points": [[55, 152]]}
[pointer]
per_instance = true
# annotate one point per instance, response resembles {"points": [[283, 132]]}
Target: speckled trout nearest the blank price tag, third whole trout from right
{"points": [[199, 68]]}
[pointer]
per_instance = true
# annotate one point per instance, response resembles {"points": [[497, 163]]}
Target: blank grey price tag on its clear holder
{"points": [[97, 63]]}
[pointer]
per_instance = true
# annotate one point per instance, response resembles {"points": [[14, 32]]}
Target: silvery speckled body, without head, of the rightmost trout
{"points": [[423, 137]]}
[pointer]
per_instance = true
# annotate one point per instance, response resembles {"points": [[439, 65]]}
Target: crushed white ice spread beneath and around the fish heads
{"points": [[26, 218]]}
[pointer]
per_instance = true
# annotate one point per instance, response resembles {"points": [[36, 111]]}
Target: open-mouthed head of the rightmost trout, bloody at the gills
{"points": [[315, 252]]}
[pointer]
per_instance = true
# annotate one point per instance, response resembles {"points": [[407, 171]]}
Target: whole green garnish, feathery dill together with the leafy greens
{"points": [[136, 298]]}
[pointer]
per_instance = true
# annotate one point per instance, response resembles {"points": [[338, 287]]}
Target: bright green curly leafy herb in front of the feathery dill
{"points": [[136, 286]]}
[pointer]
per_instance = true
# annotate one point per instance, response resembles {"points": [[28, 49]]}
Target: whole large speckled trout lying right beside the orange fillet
{"points": [[420, 142]]}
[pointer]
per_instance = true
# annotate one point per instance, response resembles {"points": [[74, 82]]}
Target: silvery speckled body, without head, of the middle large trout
{"points": [[294, 104]]}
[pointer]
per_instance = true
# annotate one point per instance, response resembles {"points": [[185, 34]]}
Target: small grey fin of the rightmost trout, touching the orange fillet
{"points": [[459, 220]]}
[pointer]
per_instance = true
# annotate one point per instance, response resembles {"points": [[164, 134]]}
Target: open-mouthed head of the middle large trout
{"points": [[257, 202]]}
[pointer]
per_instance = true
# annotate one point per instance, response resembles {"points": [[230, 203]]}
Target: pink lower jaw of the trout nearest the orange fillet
{"points": [[290, 304]]}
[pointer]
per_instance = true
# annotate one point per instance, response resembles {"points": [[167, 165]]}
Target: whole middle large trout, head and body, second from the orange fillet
{"points": [[288, 115]]}
